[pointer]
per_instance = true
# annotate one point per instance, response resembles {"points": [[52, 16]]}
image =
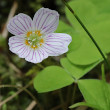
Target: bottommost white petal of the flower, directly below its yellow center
{"points": [[36, 56]]}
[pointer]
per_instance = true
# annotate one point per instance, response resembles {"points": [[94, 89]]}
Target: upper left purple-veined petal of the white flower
{"points": [[20, 24]]}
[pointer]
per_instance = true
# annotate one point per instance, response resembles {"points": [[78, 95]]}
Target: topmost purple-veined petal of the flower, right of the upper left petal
{"points": [[46, 20]]}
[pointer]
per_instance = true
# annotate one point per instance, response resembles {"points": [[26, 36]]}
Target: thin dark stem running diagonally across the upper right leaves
{"points": [[86, 30]]}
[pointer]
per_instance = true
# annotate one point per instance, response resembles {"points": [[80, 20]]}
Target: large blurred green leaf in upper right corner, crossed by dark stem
{"points": [[95, 15]]}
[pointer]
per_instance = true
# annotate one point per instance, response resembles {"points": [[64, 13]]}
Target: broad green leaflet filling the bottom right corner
{"points": [[93, 92]]}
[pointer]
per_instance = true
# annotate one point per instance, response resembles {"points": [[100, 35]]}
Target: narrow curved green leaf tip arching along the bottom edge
{"points": [[84, 104]]}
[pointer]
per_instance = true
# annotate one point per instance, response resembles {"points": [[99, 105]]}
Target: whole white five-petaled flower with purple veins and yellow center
{"points": [[35, 40]]}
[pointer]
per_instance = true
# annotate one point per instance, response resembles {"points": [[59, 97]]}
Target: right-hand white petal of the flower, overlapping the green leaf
{"points": [[57, 43]]}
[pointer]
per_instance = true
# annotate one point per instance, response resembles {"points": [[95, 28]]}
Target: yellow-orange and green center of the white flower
{"points": [[34, 39]]}
